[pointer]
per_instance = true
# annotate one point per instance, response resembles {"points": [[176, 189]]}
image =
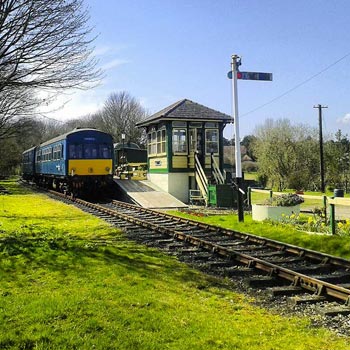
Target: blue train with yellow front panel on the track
{"points": [[79, 162]]}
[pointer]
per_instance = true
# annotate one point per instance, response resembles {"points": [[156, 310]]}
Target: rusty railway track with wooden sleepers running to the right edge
{"points": [[303, 275]]}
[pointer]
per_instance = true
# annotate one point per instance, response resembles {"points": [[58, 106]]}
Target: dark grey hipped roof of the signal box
{"points": [[186, 110]]}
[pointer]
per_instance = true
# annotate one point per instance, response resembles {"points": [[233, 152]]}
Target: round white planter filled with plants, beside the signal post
{"points": [[276, 207]]}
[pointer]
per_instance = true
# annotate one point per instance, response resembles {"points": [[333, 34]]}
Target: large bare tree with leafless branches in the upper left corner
{"points": [[45, 45]]}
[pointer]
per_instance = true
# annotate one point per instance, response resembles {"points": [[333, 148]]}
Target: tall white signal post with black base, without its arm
{"points": [[235, 63]]}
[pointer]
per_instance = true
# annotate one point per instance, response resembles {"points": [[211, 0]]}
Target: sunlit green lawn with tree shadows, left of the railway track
{"points": [[70, 281]]}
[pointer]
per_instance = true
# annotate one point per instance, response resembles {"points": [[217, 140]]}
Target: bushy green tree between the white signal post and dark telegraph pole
{"points": [[286, 154]]}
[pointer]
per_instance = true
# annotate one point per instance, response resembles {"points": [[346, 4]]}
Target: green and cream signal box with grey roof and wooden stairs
{"points": [[185, 149]]}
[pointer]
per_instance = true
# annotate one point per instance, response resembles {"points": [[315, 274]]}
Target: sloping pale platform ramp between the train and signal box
{"points": [[147, 195]]}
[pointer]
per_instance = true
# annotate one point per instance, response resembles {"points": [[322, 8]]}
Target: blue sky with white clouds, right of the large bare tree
{"points": [[161, 51]]}
